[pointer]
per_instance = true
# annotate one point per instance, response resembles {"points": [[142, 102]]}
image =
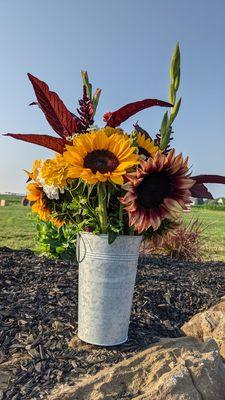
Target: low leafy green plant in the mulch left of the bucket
{"points": [[55, 242]]}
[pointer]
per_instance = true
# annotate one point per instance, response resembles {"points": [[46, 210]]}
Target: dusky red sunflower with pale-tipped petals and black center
{"points": [[159, 189]]}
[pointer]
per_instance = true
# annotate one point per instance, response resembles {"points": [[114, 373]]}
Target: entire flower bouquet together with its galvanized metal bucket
{"points": [[115, 188]]}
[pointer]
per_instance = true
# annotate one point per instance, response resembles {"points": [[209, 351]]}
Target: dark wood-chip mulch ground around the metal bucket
{"points": [[38, 316]]}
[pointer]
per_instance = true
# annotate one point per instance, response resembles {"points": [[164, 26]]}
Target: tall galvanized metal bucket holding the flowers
{"points": [[106, 283]]}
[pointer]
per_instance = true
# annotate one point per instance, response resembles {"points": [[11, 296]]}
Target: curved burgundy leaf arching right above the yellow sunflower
{"points": [[122, 114]]}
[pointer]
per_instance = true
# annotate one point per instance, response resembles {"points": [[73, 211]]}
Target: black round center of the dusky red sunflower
{"points": [[153, 189]]}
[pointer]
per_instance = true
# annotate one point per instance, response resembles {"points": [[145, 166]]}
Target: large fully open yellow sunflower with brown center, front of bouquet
{"points": [[96, 157]]}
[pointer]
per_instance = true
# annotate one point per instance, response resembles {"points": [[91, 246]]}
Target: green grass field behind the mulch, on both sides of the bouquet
{"points": [[17, 229]]}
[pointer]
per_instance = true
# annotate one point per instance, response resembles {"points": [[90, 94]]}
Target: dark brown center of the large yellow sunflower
{"points": [[101, 161]]}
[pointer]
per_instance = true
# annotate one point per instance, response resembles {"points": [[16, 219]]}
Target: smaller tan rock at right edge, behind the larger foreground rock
{"points": [[209, 324]]}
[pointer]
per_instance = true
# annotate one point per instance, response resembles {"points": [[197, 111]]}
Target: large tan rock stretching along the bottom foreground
{"points": [[175, 369]]}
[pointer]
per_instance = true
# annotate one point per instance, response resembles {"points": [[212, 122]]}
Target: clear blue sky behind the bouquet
{"points": [[126, 47]]}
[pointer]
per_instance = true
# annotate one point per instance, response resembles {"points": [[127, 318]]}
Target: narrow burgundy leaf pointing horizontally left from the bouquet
{"points": [[56, 144]]}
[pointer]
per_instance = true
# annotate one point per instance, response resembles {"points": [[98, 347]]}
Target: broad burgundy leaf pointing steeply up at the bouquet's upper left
{"points": [[58, 116]]}
